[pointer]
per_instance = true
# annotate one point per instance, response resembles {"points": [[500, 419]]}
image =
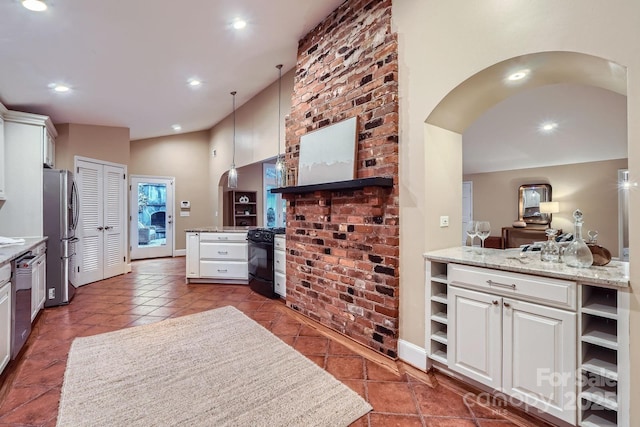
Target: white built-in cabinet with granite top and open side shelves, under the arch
{"points": [[550, 338]]}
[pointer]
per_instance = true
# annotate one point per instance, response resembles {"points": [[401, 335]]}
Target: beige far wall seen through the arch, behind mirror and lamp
{"points": [[592, 187]]}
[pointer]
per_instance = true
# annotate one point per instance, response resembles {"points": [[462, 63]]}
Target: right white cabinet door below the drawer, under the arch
{"points": [[540, 357]]}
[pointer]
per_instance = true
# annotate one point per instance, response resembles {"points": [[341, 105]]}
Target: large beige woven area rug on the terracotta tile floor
{"points": [[216, 368]]}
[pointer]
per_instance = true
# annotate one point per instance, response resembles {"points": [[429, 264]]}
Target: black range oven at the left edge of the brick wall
{"points": [[261, 251]]}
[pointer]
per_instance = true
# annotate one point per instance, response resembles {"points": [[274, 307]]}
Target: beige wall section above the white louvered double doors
{"points": [[110, 144]]}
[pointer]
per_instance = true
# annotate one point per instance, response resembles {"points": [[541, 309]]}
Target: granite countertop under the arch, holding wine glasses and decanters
{"points": [[616, 273]]}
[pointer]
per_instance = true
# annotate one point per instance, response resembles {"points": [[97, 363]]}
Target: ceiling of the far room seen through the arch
{"points": [[591, 126]]}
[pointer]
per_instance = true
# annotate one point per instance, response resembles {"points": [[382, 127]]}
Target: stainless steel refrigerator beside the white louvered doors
{"points": [[61, 210]]}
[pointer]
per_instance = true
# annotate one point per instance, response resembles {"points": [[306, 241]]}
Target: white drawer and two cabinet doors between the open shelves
{"points": [[527, 350]]}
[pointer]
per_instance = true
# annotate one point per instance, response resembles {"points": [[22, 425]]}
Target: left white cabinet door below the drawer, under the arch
{"points": [[475, 323]]}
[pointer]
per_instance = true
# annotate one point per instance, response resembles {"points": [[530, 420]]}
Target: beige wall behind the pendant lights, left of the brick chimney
{"points": [[256, 135]]}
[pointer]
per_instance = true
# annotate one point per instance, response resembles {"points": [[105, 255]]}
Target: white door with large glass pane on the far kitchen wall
{"points": [[152, 213]]}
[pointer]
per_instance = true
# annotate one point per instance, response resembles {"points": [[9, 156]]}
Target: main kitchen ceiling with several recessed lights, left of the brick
{"points": [[128, 62]]}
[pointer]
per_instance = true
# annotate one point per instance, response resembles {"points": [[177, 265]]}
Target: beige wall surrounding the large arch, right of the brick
{"points": [[441, 44]]}
